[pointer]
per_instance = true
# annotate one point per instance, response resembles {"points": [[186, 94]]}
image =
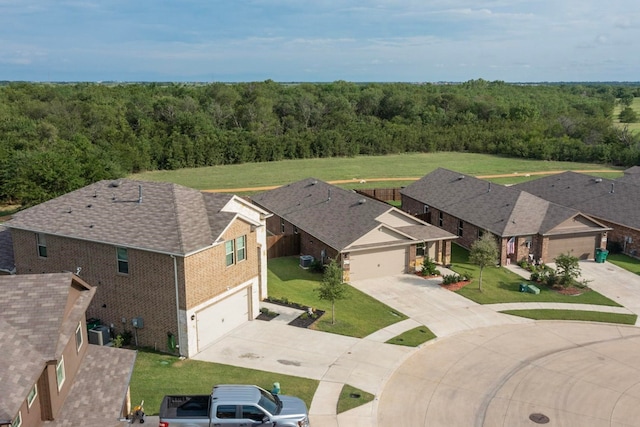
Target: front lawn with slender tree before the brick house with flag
{"points": [[500, 285]]}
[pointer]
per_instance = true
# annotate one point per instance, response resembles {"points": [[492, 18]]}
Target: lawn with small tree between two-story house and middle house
{"points": [[357, 316]]}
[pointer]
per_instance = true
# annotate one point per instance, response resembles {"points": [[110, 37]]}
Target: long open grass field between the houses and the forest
{"points": [[359, 168]]}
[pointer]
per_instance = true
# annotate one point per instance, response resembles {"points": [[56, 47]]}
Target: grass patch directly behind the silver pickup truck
{"points": [[156, 375]]}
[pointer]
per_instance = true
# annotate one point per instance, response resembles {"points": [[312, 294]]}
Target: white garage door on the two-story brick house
{"points": [[220, 318]]}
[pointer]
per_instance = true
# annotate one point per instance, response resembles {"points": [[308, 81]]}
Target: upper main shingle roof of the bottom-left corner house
{"points": [[32, 319]]}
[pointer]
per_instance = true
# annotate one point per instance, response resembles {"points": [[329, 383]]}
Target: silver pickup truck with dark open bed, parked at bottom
{"points": [[232, 405]]}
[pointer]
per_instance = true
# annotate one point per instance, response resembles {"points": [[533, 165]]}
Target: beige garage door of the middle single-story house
{"points": [[378, 263]]}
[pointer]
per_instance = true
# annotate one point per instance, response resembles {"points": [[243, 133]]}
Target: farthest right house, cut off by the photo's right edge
{"points": [[614, 203]]}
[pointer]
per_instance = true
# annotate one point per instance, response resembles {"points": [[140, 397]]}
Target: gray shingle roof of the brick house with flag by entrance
{"points": [[504, 211]]}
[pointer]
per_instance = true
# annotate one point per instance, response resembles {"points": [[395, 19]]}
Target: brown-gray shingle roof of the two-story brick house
{"points": [[155, 216]]}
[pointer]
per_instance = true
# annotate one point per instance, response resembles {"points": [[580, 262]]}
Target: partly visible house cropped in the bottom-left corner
{"points": [[50, 374]]}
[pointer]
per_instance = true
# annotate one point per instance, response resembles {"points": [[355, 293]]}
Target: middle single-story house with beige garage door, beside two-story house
{"points": [[368, 238]]}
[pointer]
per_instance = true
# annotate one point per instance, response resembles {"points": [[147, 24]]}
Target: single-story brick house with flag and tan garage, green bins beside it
{"points": [[526, 226]]}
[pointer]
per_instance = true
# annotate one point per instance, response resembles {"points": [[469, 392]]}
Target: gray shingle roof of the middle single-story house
{"points": [[331, 214]]}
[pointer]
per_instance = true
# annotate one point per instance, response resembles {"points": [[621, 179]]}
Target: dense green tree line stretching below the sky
{"points": [[58, 137]]}
